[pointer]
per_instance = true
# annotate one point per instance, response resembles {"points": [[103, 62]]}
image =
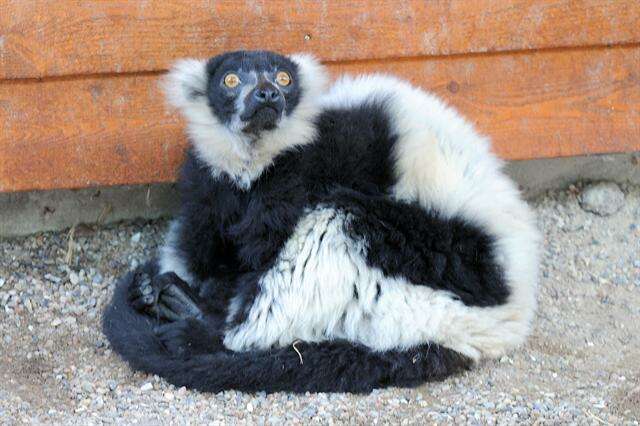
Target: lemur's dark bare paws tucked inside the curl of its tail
{"points": [[165, 297]]}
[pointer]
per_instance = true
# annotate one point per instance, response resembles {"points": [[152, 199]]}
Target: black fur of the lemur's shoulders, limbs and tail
{"points": [[230, 237]]}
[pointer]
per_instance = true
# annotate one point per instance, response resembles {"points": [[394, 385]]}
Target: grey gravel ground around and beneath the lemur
{"points": [[581, 365]]}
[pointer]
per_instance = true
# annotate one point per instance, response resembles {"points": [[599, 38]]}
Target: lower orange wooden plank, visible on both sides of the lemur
{"points": [[114, 130]]}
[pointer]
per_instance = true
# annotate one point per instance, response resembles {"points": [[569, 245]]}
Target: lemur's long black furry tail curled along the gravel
{"points": [[337, 366]]}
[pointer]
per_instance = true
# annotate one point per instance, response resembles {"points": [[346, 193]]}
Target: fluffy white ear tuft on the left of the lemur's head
{"points": [[186, 83]]}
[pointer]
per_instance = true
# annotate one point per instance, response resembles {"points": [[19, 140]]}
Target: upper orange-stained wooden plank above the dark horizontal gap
{"points": [[51, 37]]}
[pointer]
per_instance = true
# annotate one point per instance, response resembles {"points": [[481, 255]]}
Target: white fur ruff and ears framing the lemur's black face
{"points": [[229, 151]]}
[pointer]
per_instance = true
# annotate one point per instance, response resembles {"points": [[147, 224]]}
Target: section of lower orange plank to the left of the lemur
{"points": [[86, 132]]}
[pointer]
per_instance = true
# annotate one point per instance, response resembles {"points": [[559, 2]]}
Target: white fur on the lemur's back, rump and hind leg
{"points": [[442, 163]]}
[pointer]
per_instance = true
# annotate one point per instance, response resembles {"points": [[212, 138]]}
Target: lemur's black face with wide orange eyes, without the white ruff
{"points": [[250, 92]]}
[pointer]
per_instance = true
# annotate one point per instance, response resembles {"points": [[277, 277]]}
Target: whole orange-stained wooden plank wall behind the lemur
{"points": [[80, 105]]}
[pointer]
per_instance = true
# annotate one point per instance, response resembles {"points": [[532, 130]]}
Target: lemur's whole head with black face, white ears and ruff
{"points": [[243, 108]]}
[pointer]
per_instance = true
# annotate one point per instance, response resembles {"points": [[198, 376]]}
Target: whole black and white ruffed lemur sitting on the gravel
{"points": [[339, 238]]}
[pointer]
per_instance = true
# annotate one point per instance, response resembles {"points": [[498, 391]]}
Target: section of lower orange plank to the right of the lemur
{"points": [[538, 104]]}
